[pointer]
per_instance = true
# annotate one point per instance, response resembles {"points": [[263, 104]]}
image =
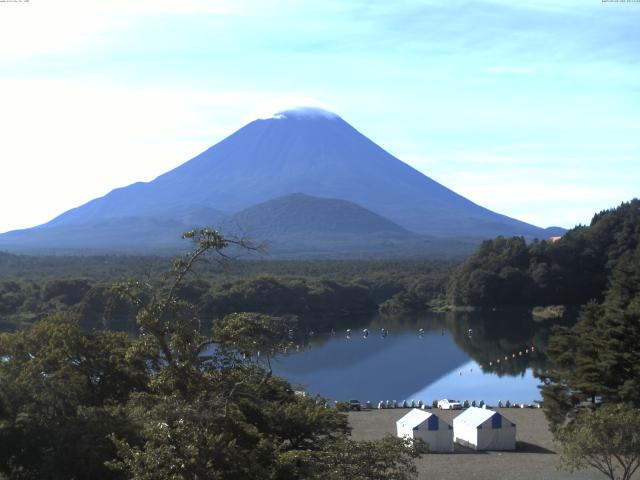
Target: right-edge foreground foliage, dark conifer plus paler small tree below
{"points": [[592, 393]]}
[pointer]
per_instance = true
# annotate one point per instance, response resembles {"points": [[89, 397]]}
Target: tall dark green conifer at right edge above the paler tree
{"points": [[599, 357]]}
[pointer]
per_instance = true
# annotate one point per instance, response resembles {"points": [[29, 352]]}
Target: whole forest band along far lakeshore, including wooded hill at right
{"points": [[503, 273]]}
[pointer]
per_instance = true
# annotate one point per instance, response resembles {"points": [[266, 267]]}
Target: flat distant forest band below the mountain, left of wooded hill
{"points": [[33, 287]]}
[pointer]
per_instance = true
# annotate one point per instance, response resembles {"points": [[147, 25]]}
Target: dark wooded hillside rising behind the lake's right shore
{"points": [[570, 271]]}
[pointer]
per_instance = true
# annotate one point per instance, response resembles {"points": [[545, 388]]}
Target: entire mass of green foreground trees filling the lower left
{"points": [[172, 403]]}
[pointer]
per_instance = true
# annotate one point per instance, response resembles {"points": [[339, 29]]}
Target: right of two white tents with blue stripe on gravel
{"points": [[483, 429]]}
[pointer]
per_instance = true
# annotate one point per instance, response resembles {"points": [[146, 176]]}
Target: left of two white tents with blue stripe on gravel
{"points": [[429, 427]]}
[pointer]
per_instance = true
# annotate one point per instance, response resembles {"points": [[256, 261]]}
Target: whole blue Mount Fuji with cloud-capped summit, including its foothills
{"points": [[259, 168]]}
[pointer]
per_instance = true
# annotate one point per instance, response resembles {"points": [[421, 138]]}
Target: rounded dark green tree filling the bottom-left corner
{"points": [[60, 396]]}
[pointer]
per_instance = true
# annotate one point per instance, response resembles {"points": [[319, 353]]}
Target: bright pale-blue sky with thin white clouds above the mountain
{"points": [[530, 108]]}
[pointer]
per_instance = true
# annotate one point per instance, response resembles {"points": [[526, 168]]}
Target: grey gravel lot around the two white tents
{"points": [[535, 458]]}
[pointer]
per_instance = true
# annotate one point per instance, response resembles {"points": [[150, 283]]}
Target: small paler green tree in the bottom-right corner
{"points": [[606, 438]]}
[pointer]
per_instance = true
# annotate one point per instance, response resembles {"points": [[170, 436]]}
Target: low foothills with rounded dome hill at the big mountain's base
{"points": [[292, 226]]}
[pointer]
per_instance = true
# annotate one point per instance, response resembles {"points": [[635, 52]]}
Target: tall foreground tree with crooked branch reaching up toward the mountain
{"points": [[212, 414]]}
